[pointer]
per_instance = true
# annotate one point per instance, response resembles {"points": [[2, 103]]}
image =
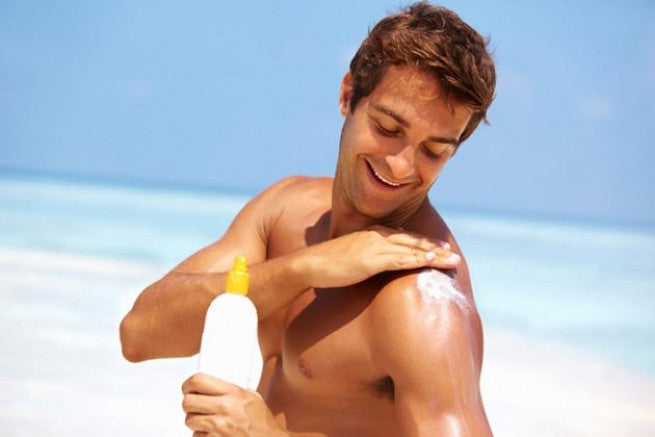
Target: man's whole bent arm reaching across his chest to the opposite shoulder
{"points": [[168, 316]]}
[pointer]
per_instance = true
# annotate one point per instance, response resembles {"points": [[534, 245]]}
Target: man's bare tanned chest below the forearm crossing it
{"points": [[326, 377]]}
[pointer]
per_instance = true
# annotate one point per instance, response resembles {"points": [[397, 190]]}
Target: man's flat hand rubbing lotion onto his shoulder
{"points": [[357, 256]]}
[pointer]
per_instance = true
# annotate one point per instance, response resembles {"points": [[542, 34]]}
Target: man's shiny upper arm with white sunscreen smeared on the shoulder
{"points": [[429, 341]]}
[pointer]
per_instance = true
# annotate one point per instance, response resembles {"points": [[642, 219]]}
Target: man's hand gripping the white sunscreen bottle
{"points": [[214, 407]]}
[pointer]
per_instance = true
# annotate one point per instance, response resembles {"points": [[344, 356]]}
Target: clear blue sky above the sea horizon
{"points": [[240, 94]]}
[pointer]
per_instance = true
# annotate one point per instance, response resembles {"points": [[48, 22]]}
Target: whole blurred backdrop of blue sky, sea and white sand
{"points": [[132, 132]]}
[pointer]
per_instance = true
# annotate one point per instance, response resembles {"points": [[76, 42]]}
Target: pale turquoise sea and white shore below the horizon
{"points": [[568, 309]]}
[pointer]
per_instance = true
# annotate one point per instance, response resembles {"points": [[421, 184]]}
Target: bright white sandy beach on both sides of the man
{"points": [[62, 372]]}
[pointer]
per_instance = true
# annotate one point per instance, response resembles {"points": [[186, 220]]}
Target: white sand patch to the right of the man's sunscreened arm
{"points": [[547, 389]]}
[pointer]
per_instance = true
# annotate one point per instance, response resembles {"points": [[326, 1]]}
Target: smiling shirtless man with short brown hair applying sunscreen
{"points": [[360, 335]]}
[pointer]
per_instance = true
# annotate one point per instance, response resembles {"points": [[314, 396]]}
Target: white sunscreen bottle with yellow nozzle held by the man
{"points": [[230, 346]]}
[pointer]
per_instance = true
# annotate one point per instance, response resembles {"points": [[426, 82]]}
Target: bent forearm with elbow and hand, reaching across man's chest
{"points": [[168, 317]]}
